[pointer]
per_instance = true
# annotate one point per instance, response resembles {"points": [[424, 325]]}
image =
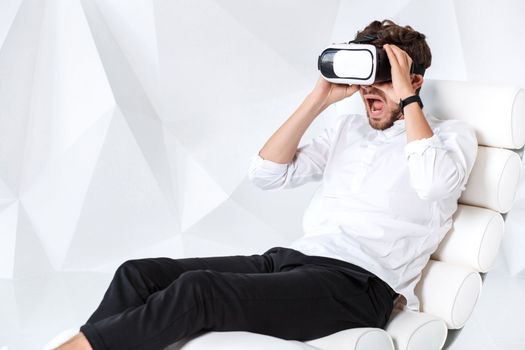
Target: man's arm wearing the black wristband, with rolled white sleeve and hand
{"points": [[439, 165]]}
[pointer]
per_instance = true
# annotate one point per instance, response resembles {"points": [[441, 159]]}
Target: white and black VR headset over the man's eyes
{"points": [[358, 63]]}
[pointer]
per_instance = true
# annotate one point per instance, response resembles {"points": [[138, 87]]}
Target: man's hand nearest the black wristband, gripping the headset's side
{"points": [[400, 62]]}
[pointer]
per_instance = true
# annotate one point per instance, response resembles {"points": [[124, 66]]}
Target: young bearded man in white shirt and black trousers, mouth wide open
{"points": [[390, 184]]}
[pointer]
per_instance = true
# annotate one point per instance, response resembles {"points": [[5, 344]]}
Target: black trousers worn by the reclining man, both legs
{"points": [[152, 303]]}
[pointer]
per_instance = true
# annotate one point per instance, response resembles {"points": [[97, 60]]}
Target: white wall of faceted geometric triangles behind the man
{"points": [[127, 126]]}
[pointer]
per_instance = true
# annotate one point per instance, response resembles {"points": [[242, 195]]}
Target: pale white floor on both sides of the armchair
{"points": [[34, 310]]}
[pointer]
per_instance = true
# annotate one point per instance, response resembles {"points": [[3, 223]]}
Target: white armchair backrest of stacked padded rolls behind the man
{"points": [[451, 281]]}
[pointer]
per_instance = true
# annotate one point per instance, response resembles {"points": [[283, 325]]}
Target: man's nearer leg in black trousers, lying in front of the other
{"points": [[305, 302]]}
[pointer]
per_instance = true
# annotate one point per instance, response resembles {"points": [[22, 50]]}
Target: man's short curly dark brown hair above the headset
{"points": [[406, 38]]}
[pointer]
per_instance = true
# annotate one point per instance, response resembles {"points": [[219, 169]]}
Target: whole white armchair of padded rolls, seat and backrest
{"points": [[451, 282]]}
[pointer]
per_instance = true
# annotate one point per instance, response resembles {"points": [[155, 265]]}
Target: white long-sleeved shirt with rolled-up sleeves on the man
{"points": [[383, 204]]}
